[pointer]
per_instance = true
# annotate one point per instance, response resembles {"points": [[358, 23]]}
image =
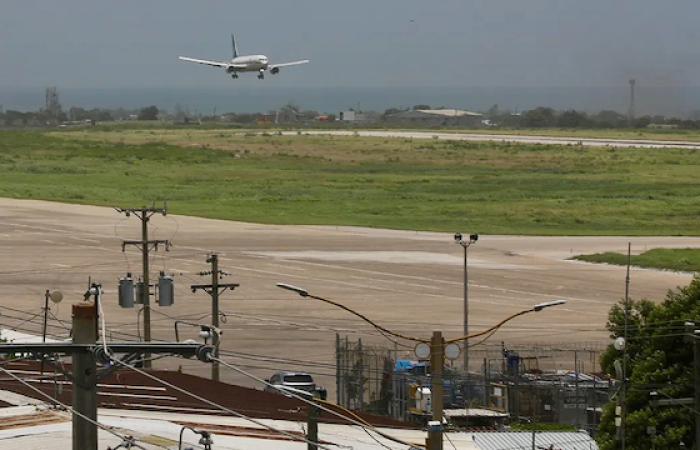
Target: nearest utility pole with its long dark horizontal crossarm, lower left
{"points": [[86, 352]]}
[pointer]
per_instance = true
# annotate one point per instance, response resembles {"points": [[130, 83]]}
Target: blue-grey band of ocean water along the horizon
{"points": [[669, 101]]}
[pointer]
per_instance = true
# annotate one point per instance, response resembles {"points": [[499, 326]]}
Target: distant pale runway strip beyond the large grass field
{"points": [[642, 143]]}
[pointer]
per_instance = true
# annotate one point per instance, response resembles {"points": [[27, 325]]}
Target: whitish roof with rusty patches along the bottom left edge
{"points": [[156, 429]]}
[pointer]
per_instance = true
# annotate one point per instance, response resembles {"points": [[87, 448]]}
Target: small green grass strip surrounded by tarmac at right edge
{"points": [[678, 259]]}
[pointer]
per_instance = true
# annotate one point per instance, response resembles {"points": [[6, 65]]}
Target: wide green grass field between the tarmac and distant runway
{"points": [[484, 187]]}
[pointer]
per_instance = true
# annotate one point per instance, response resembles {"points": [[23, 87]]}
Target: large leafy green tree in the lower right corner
{"points": [[658, 359]]}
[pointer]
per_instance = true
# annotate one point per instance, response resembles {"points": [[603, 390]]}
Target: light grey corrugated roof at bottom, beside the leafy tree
{"points": [[544, 440]]}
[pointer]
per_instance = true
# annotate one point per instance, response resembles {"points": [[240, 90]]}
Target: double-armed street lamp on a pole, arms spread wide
{"points": [[438, 347]]}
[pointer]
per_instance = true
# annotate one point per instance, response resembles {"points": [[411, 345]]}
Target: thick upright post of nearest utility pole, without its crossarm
{"points": [[84, 379]]}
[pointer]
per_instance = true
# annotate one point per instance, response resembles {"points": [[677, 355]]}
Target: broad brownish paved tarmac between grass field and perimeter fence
{"points": [[409, 282]]}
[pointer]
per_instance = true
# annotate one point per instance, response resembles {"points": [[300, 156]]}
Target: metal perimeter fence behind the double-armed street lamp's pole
{"points": [[536, 381]]}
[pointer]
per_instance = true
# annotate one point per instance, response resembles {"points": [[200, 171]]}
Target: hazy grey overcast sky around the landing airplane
{"points": [[135, 43]]}
